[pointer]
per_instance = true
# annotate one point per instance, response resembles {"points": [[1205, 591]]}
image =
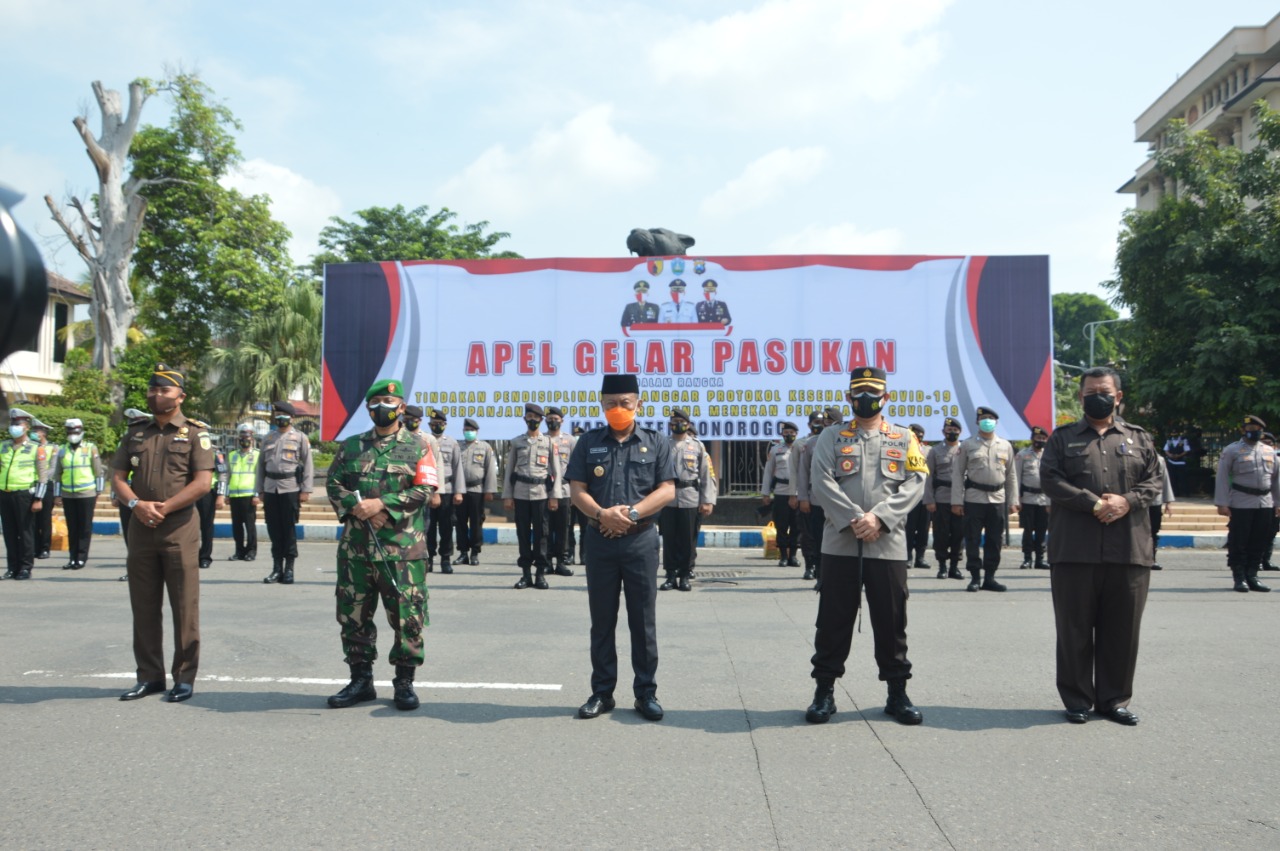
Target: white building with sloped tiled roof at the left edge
{"points": [[36, 370]]}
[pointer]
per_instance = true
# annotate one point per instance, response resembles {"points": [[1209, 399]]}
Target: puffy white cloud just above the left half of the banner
{"points": [[573, 163]]}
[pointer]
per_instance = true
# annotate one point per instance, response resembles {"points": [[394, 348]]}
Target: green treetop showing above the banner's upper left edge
{"points": [[396, 234]]}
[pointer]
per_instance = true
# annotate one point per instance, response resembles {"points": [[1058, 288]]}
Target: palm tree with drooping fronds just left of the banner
{"points": [[272, 355]]}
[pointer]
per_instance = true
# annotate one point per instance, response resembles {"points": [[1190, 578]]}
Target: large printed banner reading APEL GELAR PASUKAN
{"points": [[743, 344]]}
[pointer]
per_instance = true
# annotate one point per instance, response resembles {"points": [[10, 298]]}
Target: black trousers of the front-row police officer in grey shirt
{"points": [[839, 602]]}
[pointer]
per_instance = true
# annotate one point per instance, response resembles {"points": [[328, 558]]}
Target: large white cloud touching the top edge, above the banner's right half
{"points": [[797, 58]]}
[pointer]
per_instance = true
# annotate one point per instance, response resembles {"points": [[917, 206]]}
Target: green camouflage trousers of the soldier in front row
{"points": [[360, 584]]}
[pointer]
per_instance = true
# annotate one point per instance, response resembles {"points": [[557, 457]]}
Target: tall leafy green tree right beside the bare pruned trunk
{"points": [[209, 258]]}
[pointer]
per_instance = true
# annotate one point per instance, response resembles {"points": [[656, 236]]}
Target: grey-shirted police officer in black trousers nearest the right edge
{"points": [[1249, 495]]}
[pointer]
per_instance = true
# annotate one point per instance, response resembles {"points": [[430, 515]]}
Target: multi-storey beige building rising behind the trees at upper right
{"points": [[1215, 95]]}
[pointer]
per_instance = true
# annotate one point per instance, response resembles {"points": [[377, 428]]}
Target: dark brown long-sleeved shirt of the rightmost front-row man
{"points": [[1080, 466]]}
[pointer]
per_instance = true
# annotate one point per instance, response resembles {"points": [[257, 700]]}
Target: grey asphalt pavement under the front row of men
{"points": [[496, 758]]}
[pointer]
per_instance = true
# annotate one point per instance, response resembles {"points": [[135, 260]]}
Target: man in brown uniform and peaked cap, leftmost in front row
{"points": [[161, 470]]}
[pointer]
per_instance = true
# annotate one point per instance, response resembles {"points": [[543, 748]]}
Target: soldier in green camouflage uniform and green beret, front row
{"points": [[380, 483]]}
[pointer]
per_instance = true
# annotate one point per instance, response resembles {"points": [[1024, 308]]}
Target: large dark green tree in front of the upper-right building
{"points": [[1203, 277]]}
